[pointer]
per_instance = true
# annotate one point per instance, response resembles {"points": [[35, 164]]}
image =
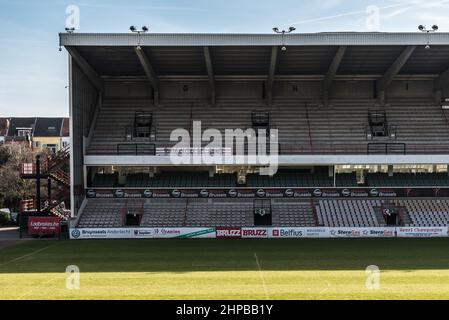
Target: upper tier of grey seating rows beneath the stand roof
{"points": [[343, 128]]}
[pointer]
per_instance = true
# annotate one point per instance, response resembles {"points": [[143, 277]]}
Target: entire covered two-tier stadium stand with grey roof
{"points": [[359, 120]]}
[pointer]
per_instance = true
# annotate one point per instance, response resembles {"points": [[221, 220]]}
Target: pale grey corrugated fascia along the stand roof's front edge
{"points": [[304, 39]]}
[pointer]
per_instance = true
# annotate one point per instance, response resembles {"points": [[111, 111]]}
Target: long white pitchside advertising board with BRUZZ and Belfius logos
{"points": [[258, 233]]}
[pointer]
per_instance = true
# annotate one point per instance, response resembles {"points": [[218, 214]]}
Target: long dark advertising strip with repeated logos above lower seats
{"points": [[268, 193]]}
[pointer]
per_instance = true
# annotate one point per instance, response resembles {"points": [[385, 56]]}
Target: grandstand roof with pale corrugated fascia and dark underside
{"points": [[308, 56]]}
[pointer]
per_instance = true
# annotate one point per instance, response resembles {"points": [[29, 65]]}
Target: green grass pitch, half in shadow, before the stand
{"points": [[227, 269]]}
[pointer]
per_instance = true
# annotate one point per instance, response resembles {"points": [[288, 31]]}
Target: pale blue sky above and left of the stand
{"points": [[33, 73]]}
